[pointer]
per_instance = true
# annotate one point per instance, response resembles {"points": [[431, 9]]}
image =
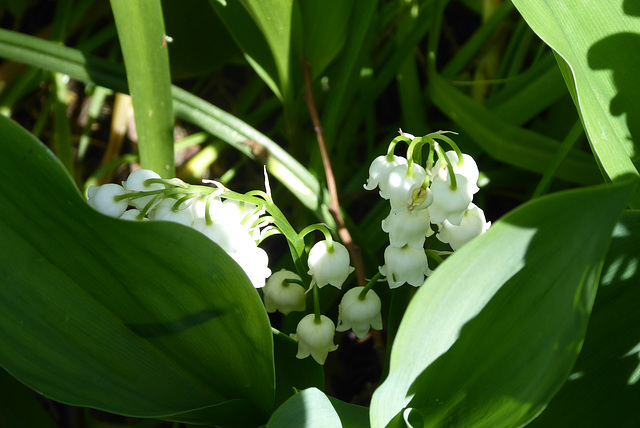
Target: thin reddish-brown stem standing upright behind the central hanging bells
{"points": [[334, 204]]}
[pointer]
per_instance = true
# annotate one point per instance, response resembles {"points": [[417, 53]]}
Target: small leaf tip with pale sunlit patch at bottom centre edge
{"points": [[311, 408]]}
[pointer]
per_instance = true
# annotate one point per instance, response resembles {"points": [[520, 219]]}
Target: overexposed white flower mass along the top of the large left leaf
{"points": [[235, 226]]}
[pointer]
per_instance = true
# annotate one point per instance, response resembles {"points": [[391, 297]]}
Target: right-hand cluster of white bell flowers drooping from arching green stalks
{"points": [[440, 194]]}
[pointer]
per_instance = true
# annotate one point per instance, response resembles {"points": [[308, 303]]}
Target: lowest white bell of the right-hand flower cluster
{"points": [[405, 265]]}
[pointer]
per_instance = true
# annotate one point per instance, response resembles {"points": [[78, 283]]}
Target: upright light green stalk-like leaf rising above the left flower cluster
{"points": [[145, 50]]}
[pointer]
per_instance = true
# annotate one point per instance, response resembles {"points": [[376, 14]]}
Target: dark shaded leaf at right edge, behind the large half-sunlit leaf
{"points": [[603, 388]]}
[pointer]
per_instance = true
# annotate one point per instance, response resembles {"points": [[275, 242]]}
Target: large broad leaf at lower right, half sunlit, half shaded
{"points": [[493, 333]]}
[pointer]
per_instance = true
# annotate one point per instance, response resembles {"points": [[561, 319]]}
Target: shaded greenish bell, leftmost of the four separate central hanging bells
{"points": [[282, 295]]}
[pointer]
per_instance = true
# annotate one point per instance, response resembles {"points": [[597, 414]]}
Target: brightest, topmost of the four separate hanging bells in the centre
{"points": [[329, 267]]}
